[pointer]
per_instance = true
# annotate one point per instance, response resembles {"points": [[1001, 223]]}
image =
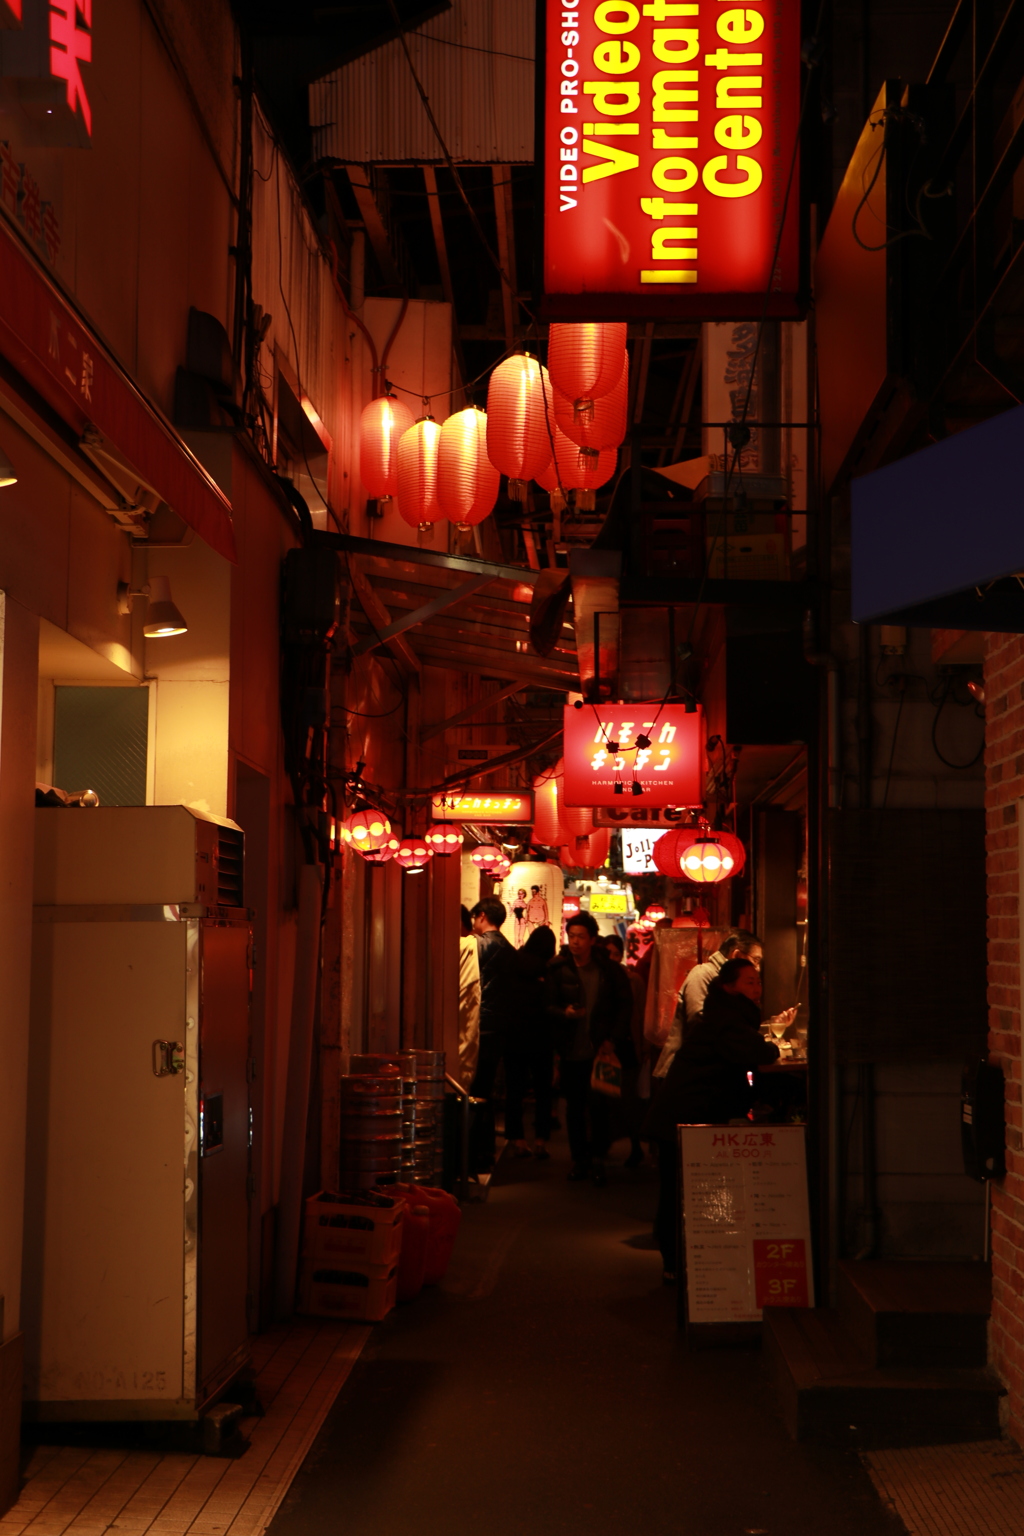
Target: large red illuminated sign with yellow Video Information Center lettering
{"points": [[670, 131]]}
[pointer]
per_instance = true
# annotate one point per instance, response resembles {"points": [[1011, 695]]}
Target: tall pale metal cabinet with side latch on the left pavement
{"points": [[139, 1157]]}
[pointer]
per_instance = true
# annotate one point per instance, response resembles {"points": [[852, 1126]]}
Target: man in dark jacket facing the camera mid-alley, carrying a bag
{"points": [[590, 1004]]}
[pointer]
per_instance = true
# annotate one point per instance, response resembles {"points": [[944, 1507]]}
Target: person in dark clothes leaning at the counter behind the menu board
{"points": [[707, 1084]]}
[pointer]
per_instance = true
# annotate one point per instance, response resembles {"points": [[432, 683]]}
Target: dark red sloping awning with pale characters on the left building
{"points": [[47, 342]]}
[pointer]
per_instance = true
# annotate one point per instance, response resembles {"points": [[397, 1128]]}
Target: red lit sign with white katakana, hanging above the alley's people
{"points": [[659, 746]]}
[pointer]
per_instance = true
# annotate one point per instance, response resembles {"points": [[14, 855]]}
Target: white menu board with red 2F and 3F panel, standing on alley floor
{"points": [[745, 1222]]}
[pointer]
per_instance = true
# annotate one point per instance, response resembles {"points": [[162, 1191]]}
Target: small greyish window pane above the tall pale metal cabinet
{"points": [[101, 743]]}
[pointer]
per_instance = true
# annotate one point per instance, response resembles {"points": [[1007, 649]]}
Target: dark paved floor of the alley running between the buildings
{"points": [[544, 1389]]}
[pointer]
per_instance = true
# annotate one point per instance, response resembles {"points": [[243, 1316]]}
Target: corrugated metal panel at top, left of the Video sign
{"points": [[477, 64]]}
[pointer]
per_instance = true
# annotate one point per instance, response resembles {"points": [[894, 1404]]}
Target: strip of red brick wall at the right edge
{"points": [[1005, 787]]}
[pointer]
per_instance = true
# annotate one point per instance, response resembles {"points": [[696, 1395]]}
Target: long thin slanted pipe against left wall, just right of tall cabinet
{"points": [[297, 1091]]}
